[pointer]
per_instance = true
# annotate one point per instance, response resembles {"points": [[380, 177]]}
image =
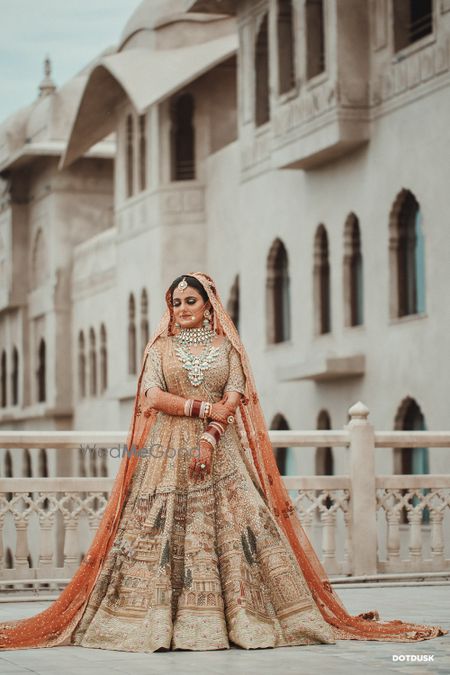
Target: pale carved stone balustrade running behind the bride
{"points": [[361, 524]]}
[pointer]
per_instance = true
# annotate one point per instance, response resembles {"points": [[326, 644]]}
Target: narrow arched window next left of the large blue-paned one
{"points": [[353, 273]]}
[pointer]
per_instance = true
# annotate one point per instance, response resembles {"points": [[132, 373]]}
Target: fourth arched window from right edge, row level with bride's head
{"points": [[278, 294]]}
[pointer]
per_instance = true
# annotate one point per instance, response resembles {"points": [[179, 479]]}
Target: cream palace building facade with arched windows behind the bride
{"points": [[297, 151]]}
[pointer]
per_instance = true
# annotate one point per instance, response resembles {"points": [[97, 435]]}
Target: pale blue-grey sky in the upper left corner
{"points": [[70, 32]]}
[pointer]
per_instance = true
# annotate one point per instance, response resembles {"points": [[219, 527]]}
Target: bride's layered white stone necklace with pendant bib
{"points": [[196, 364]]}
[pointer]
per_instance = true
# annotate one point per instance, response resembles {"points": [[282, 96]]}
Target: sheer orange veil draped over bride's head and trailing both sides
{"points": [[54, 625]]}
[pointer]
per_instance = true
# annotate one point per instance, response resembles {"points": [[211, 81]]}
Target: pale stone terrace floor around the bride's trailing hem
{"points": [[424, 604]]}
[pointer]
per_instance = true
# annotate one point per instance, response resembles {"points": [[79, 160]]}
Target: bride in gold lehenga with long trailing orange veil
{"points": [[200, 545]]}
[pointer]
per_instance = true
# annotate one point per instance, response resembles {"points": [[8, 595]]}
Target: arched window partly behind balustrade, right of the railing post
{"points": [[411, 460]]}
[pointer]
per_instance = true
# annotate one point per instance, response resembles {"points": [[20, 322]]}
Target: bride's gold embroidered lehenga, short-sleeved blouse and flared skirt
{"points": [[195, 566]]}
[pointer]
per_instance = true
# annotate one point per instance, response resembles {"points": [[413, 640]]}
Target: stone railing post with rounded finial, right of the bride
{"points": [[363, 496]]}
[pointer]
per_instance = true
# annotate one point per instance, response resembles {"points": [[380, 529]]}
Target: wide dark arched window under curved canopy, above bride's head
{"points": [[183, 138]]}
